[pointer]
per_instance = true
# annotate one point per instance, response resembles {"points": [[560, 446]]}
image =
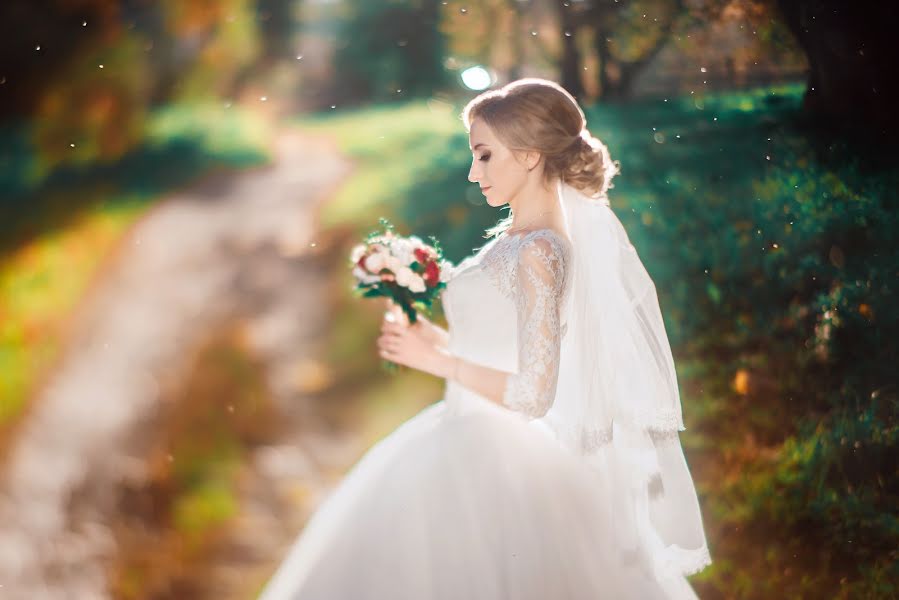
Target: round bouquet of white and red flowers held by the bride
{"points": [[405, 270]]}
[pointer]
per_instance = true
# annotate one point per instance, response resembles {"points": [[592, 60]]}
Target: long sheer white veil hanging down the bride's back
{"points": [[617, 402]]}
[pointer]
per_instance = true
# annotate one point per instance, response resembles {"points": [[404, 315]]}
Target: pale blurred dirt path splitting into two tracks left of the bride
{"points": [[235, 247]]}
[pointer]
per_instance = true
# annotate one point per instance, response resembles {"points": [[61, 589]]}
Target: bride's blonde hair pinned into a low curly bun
{"points": [[538, 115]]}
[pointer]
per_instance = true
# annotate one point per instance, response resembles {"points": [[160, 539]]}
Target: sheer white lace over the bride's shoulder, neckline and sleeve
{"points": [[530, 270]]}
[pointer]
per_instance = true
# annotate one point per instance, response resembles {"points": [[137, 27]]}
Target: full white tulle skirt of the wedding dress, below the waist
{"points": [[478, 504]]}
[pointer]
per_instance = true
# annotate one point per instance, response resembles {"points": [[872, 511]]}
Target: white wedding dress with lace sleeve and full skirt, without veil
{"points": [[469, 500]]}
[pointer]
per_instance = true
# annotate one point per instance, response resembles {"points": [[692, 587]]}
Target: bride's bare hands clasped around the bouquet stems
{"points": [[419, 346]]}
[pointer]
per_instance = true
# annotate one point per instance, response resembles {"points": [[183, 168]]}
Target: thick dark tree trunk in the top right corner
{"points": [[852, 61]]}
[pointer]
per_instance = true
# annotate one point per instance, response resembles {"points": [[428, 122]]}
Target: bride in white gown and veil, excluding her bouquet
{"points": [[552, 468]]}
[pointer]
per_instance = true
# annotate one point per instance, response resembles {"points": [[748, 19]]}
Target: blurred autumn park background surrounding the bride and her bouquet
{"points": [[185, 371]]}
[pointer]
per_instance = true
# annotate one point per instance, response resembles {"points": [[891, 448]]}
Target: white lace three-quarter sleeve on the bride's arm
{"points": [[538, 289]]}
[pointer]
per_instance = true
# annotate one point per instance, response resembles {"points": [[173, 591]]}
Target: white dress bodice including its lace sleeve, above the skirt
{"points": [[504, 309]]}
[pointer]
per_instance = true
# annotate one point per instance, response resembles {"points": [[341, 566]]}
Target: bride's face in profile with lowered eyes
{"points": [[494, 167]]}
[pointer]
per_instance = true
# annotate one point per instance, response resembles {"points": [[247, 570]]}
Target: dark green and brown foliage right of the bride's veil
{"points": [[777, 256]]}
